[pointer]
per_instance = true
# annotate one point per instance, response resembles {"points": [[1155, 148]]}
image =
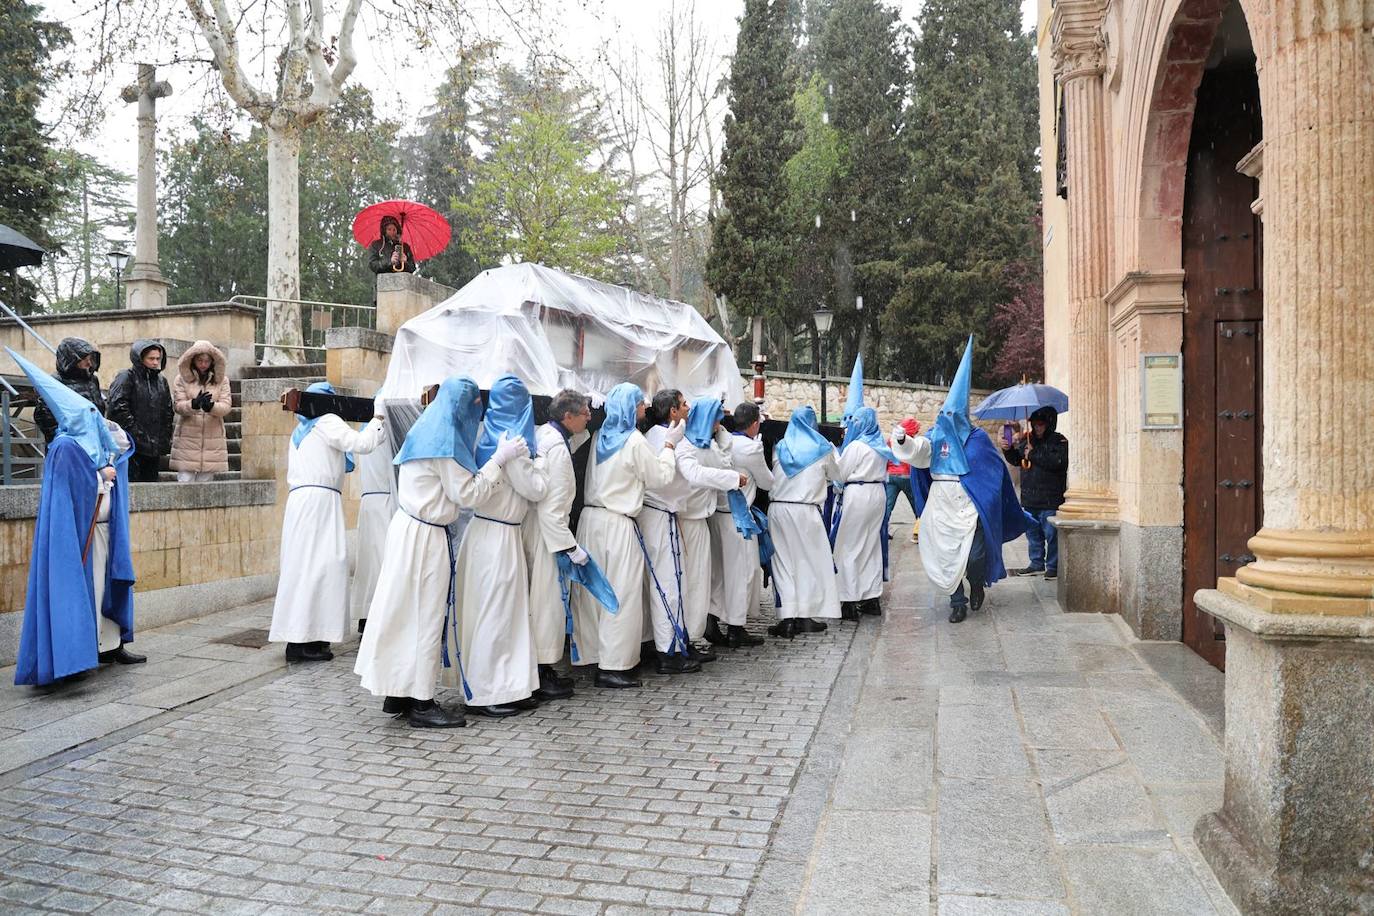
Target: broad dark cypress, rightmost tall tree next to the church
{"points": [[972, 138]]}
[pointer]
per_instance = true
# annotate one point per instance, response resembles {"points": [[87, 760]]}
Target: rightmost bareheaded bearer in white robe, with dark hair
{"points": [[737, 584]]}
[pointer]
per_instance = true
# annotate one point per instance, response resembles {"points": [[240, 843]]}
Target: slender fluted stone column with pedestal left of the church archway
{"points": [[1088, 521]]}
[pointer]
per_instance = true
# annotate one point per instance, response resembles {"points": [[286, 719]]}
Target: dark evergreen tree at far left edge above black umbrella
{"points": [[30, 178]]}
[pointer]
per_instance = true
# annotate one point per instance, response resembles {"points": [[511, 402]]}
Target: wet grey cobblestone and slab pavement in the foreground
{"points": [[1023, 763]]}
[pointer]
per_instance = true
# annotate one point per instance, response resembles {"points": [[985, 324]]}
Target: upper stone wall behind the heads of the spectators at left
{"points": [[229, 326]]}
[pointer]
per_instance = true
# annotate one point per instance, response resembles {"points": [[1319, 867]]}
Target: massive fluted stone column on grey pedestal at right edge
{"points": [[1296, 830]]}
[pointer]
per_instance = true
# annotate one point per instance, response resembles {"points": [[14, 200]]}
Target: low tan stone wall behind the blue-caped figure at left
{"points": [[197, 549]]}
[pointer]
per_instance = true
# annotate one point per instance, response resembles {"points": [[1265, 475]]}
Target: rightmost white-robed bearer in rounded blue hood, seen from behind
{"points": [[861, 536]]}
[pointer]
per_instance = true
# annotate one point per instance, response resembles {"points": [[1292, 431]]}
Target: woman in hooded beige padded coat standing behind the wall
{"points": [[203, 400]]}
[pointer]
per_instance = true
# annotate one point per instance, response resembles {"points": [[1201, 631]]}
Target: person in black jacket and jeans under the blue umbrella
{"points": [[1044, 458]]}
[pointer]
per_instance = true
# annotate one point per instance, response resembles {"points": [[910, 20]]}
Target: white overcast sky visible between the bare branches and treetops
{"points": [[581, 30]]}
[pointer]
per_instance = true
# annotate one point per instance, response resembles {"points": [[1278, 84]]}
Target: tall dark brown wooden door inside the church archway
{"points": [[1222, 332]]}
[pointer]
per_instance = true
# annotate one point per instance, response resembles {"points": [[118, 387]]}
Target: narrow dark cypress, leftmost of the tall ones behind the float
{"points": [[752, 242]]}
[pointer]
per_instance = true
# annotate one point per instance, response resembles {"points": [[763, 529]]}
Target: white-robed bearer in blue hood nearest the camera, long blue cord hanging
{"points": [[413, 632]]}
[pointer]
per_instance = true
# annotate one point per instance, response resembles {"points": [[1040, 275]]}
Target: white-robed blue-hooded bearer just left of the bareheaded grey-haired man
{"points": [[493, 580]]}
